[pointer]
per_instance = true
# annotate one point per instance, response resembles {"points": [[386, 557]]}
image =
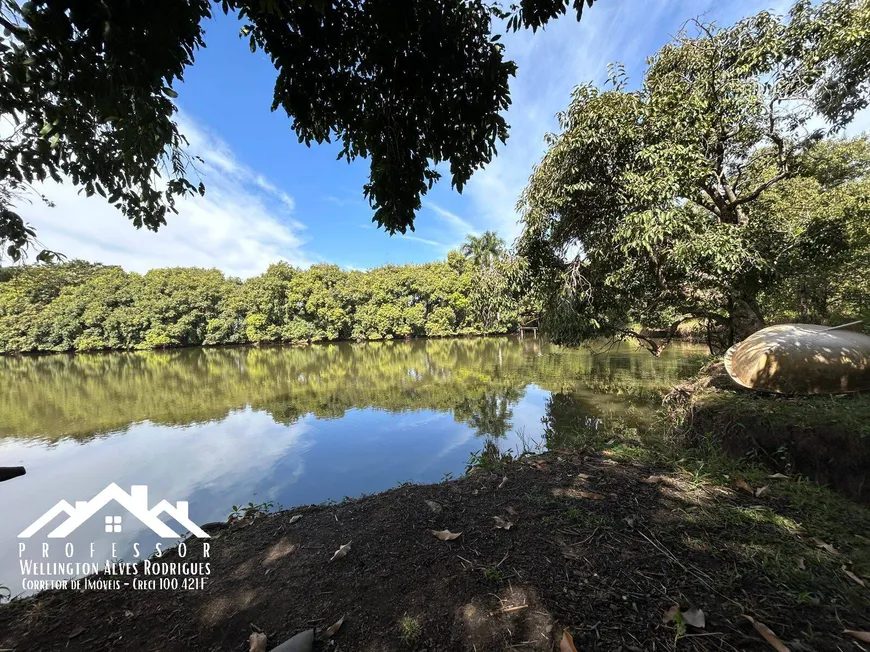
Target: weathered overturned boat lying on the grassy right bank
{"points": [[802, 359]]}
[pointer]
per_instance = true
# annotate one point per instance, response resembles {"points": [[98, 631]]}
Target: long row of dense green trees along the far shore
{"points": [[80, 306]]}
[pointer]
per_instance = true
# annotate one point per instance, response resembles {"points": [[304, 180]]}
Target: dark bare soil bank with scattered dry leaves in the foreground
{"points": [[593, 549]]}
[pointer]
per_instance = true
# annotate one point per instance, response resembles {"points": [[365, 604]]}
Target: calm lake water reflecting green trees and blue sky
{"points": [[219, 427]]}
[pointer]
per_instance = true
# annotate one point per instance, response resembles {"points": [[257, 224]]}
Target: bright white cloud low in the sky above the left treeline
{"points": [[241, 225]]}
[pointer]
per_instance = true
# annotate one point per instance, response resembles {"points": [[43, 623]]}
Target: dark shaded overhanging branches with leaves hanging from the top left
{"points": [[86, 88]]}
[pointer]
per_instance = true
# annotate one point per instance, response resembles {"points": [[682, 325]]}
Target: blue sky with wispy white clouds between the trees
{"points": [[271, 198]]}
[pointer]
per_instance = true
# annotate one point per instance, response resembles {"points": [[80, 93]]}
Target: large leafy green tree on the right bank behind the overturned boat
{"points": [[708, 193]]}
